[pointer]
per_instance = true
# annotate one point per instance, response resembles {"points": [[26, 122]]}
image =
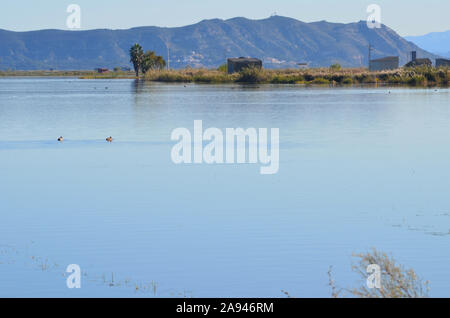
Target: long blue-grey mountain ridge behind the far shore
{"points": [[278, 41]]}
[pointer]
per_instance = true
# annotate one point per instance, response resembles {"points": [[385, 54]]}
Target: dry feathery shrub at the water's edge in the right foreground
{"points": [[395, 280]]}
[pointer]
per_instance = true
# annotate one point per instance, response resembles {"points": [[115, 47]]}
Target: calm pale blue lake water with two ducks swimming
{"points": [[359, 168]]}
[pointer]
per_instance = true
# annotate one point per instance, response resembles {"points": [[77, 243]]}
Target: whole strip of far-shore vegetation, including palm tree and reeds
{"points": [[154, 71]]}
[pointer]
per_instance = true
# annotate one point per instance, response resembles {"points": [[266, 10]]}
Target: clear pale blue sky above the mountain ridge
{"points": [[406, 17]]}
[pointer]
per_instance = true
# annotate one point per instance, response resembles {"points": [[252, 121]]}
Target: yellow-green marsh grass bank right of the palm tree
{"points": [[419, 76]]}
